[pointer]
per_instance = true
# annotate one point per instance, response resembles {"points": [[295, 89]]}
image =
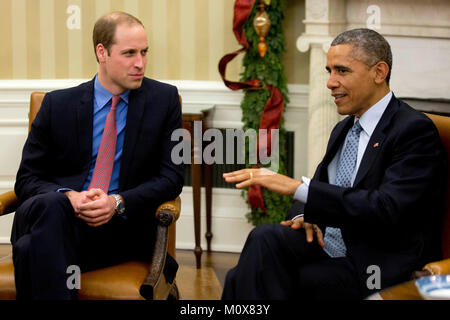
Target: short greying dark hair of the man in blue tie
{"points": [[369, 47]]}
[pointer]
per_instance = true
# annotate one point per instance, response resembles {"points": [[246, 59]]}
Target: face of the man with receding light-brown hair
{"points": [[124, 67]]}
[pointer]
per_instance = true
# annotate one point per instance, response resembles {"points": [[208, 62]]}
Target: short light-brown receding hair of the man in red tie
{"points": [[105, 28]]}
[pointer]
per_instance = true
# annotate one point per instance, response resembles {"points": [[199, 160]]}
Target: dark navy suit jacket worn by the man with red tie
{"points": [[58, 151]]}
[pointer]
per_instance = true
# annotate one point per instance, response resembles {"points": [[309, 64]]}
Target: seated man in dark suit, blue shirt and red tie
{"points": [[96, 165]]}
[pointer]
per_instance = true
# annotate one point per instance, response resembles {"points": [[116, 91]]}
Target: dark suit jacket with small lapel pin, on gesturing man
{"points": [[391, 216]]}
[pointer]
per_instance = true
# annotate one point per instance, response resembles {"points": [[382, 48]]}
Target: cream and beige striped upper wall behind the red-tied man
{"points": [[187, 38]]}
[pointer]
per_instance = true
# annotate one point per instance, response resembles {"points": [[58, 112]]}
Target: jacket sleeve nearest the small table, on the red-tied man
{"points": [[168, 182]]}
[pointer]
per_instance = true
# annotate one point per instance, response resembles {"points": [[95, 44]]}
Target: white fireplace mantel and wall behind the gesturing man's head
{"points": [[419, 35]]}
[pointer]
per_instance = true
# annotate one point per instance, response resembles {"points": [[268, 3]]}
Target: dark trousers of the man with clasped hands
{"points": [[47, 238]]}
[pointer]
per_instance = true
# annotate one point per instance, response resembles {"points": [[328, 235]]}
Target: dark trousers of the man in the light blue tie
{"points": [[277, 263]]}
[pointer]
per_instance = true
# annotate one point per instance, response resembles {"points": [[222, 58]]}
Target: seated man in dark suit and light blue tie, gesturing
{"points": [[374, 202]]}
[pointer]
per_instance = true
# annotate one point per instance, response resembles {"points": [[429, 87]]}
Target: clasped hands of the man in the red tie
{"points": [[94, 207]]}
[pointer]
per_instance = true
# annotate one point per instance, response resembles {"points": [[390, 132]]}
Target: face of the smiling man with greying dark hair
{"points": [[352, 82]]}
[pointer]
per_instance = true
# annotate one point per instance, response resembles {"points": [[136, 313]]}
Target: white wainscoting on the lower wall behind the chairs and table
{"points": [[229, 225]]}
